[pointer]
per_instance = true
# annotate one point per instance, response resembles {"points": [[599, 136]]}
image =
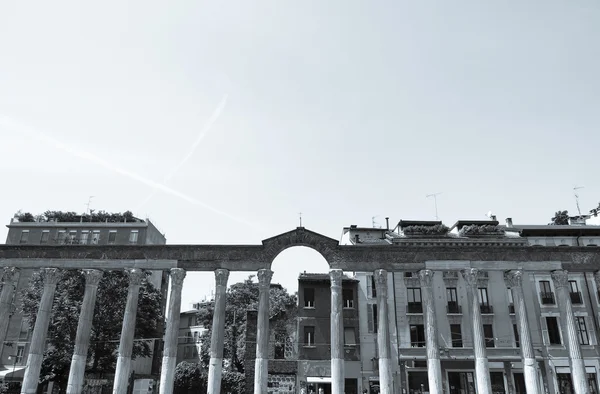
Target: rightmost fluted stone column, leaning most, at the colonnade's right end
{"points": [[561, 283]]}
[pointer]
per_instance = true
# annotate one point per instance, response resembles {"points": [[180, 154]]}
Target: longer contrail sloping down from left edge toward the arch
{"points": [[11, 124]]}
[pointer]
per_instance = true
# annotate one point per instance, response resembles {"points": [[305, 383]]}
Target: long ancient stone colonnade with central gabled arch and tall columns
{"points": [[425, 256]]}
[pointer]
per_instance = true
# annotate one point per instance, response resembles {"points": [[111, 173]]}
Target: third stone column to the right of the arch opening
{"points": [[434, 365]]}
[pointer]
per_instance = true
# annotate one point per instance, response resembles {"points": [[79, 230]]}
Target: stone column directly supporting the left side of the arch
{"points": [[261, 369]]}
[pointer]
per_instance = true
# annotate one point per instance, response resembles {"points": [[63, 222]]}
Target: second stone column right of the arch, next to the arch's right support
{"points": [[386, 379]]}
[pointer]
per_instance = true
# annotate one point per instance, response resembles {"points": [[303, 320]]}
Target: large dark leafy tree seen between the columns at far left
{"points": [[106, 324]]}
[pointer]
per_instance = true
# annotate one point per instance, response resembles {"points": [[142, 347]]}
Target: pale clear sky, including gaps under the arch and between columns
{"points": [[221, 121]]}
